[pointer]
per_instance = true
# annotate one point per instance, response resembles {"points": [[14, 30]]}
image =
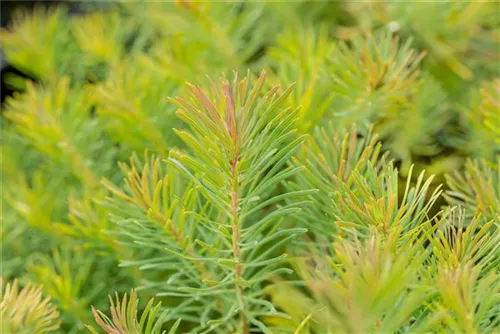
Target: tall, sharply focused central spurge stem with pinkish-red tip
{"points": [[242, 142]]}
